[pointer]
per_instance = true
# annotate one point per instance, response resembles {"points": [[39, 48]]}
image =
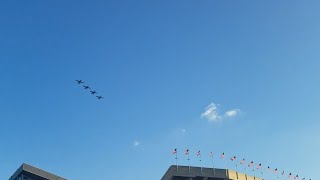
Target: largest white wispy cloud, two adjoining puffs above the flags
{"points": [[212, 114]]}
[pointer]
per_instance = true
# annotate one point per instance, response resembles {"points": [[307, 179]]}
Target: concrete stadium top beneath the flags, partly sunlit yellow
{"points": [[195, 173]]}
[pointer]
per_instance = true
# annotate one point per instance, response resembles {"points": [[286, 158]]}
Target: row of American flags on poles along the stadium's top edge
{"points": [[242, 162]]}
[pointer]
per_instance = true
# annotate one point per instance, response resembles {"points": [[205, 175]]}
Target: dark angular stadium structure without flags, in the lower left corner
{"points": [[27, 172]]}
